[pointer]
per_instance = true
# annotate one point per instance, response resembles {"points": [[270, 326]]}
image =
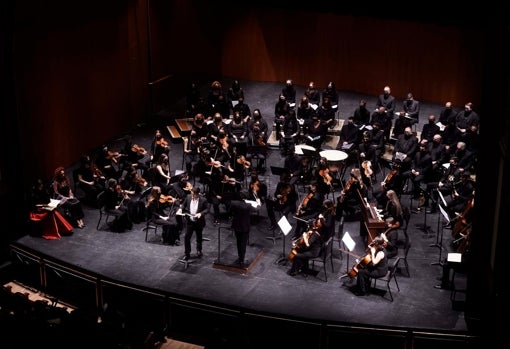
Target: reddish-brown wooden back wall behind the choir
{"points": [[435, 62]]}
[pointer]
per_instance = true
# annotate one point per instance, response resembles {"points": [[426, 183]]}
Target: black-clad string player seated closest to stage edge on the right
{"points": [[376, 268]]}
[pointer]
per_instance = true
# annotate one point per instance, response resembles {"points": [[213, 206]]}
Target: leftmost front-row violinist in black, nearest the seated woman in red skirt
{"points": [[115, 202]]}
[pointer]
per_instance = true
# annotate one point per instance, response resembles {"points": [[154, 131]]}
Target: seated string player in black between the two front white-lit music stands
{"points": [[307, 247]]}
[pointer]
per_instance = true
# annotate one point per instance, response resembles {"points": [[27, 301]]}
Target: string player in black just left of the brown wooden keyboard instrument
{"points": [[348, 200]]}
